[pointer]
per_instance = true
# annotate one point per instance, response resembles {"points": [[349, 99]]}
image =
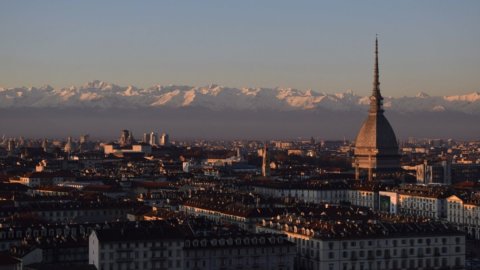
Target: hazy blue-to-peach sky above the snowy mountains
{"points": [[430, 46]]}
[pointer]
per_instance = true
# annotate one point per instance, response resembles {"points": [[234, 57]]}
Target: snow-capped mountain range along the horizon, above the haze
{"points": [[98, 94]]}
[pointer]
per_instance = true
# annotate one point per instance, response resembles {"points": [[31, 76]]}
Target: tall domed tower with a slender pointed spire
{"points": [[376, 148]]}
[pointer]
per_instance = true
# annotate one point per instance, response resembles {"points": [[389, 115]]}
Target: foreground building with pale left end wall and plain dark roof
{"points": [[157, 246]]}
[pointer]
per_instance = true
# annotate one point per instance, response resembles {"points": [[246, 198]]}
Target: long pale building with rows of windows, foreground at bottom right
{"points": [[378, 245]]}
